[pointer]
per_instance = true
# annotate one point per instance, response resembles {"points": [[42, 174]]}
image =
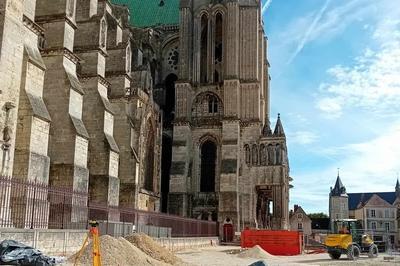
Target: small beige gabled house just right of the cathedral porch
{"points": [[299, 221]]}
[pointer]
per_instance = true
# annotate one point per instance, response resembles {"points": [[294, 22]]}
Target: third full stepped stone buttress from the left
{"points": [[98, 116]]}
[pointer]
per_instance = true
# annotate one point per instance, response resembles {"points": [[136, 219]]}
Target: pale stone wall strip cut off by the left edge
{"points": [[11, 54]]}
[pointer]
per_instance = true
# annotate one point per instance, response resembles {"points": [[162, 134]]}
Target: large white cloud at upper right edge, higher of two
{"points": [[372, 82]]}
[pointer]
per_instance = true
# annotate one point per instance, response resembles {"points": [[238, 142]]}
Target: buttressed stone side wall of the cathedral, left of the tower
{"points": [[70, 108]]}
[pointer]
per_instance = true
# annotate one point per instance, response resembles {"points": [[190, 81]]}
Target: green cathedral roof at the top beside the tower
{"points": [[150, 13]]}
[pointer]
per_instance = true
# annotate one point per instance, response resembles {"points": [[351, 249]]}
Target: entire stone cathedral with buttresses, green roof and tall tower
{"points": [[159, 105]]}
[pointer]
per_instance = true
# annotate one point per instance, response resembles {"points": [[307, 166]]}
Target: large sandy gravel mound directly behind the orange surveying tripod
{"points": [[117, 252]]}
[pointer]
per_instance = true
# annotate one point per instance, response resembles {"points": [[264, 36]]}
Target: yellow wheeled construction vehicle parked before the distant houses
{"points": [[348, 237]]}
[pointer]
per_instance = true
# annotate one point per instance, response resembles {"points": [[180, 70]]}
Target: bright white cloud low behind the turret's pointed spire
{"points": [[365, 167]]}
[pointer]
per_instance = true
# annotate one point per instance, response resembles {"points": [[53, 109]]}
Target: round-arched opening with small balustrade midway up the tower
{"points": [[207, 104]]}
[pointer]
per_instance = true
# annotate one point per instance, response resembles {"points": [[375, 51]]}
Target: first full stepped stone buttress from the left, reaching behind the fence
{"points": [[31, 162]]}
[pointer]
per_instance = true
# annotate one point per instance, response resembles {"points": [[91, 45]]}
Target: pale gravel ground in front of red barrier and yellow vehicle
{"points": [[225, 255]]}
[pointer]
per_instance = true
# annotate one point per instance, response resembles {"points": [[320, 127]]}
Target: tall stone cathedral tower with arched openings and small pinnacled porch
{"points": [[227, 164]]}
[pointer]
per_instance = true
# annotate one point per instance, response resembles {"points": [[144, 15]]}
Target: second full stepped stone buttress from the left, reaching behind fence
{"points": [[63, 94]]}
